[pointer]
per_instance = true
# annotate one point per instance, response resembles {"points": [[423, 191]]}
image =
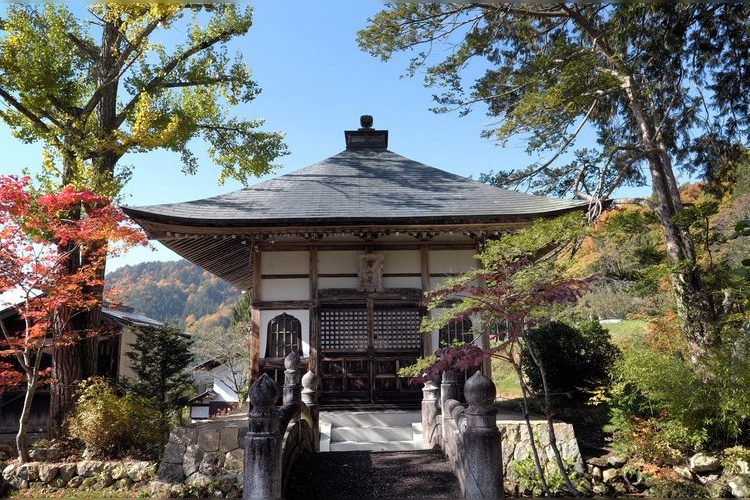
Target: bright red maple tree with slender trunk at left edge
{"points": [[37, 236]]}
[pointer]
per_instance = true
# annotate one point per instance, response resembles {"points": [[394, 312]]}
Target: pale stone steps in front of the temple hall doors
{"points": [[370, 431]]}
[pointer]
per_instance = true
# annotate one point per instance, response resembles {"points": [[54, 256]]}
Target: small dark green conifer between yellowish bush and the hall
{"points": [[159, 358]]}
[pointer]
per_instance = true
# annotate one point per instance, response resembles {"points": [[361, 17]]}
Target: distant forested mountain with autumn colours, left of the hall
{"points": [[176, 292]]}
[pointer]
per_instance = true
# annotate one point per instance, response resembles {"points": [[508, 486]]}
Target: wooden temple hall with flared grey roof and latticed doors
{"points": [[337, 257]]}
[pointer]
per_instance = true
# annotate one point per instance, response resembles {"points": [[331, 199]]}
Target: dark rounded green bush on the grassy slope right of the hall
{"points": [[574, 359]]}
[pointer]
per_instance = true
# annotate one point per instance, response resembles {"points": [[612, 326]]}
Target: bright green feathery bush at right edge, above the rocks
{"points": [[662, 407]]}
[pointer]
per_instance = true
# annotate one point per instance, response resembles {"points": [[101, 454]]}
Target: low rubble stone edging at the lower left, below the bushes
{"points": [[86, 475]]}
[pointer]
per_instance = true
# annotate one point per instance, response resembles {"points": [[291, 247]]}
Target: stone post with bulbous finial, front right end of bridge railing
{"points": [[481, 441]]}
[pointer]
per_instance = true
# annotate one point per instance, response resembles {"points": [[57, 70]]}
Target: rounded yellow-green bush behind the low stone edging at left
{"points": [[113, 426]]}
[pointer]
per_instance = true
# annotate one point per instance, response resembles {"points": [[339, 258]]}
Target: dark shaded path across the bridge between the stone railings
{"points": [[364, 474]]}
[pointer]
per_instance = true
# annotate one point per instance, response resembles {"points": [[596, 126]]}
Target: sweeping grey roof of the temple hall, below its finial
{"points": [[354, 187]]}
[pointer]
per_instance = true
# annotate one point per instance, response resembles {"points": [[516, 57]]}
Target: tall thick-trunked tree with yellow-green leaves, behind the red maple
{"points": [[115, 80]]}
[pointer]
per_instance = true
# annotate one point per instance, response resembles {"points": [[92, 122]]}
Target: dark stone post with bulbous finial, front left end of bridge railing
{"points": [[263, 442]]}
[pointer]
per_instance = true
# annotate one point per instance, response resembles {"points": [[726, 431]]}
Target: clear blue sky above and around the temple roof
{"points": [[316, 83]]}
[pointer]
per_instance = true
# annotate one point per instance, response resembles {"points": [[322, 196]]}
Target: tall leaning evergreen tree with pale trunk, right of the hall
{"points": [[659, 85]]}
